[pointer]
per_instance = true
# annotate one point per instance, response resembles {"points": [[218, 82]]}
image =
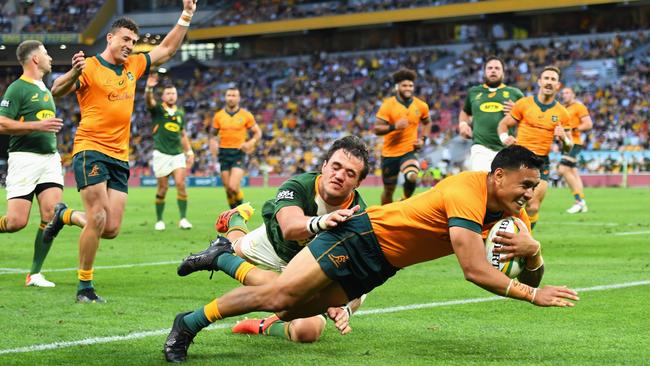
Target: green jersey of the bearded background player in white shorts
{"points": [[485, 105]]}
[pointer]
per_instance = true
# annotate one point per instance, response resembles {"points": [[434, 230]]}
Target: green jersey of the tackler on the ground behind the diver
{"points": [[301, 191]]}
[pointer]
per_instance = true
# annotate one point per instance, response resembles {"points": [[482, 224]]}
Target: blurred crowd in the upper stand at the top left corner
{"points": [[47, 16]]}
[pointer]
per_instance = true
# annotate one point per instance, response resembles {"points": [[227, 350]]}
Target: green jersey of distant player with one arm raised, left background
{"points": [[167, 129]]}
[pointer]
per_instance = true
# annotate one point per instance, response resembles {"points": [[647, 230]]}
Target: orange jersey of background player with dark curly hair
{"points": [[400, 142]]}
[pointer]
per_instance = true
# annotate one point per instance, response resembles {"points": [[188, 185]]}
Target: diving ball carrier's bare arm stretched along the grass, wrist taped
{"points": [[470, 253]]}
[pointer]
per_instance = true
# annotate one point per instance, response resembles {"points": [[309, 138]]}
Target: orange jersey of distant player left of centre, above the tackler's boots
{"points": [[232, 127]]}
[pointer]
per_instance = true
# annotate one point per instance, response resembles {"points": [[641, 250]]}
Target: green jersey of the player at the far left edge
{"points": [[28, 100]]}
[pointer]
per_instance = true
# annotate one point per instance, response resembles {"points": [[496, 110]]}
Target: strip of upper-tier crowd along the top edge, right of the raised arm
{"points": [[248, 12]]}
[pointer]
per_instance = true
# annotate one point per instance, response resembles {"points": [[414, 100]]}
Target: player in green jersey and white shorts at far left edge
{"points": [[27, 113]]}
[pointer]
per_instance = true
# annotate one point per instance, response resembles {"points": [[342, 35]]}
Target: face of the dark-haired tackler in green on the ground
{"points": [[340, 175]]}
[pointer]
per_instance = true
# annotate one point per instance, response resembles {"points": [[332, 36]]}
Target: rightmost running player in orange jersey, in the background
{"points": [[580, 122]]}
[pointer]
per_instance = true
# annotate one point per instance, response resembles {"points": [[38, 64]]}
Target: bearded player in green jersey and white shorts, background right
{"points": [[485, 106]]}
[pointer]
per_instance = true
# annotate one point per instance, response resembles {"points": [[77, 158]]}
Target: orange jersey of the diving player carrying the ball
{"points": [[417, 229]]}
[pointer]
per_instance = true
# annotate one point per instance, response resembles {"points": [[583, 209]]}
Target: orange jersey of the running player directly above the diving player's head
{"points": [[537, 123]]}
